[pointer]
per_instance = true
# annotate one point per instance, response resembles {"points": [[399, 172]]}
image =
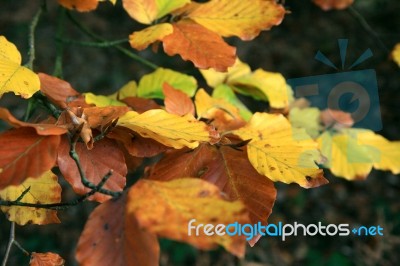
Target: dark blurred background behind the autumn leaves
{"points": [[288, 49]]}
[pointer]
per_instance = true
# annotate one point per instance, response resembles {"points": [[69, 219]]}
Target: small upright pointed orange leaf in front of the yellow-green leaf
{"points": [[177, 102]]}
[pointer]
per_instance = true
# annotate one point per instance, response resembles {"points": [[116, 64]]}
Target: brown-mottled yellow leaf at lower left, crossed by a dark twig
{"points": [[44, 190]]}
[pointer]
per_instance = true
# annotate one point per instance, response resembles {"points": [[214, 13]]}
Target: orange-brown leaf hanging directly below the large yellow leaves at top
{"points": [[206, 49]]}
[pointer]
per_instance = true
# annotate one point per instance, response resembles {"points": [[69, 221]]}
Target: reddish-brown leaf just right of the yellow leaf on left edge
{"points": [[57, 90]]}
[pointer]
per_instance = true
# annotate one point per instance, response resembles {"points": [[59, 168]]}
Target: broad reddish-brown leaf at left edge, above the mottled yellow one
{"points": [[23, 154]]}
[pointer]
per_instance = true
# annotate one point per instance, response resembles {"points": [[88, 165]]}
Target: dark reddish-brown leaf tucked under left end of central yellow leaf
{"points": [[135, 144]]}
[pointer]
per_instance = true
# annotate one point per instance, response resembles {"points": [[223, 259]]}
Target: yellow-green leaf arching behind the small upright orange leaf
{"points": [[151, 85]]}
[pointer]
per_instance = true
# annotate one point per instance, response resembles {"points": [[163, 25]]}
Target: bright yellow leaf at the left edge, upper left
{"points": [[14, 77]]}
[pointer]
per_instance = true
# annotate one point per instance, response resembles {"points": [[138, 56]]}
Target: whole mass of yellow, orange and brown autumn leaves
{"points": [[214, 155]]}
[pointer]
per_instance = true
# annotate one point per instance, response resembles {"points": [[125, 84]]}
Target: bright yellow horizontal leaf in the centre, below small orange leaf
{"points": [[168, 129]]}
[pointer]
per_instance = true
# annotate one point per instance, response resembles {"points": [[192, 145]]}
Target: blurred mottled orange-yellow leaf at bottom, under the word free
{"points": [[178, 201]]}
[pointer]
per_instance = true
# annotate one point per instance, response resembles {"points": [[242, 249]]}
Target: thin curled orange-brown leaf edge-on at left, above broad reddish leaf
{"points": [[41, 128]]}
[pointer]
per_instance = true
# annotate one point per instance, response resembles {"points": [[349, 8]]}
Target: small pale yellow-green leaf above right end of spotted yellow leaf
{"points": [[307, 118]]}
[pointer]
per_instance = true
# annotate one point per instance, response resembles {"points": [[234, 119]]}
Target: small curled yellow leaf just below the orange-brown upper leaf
{"points": [[215, 78]]}
